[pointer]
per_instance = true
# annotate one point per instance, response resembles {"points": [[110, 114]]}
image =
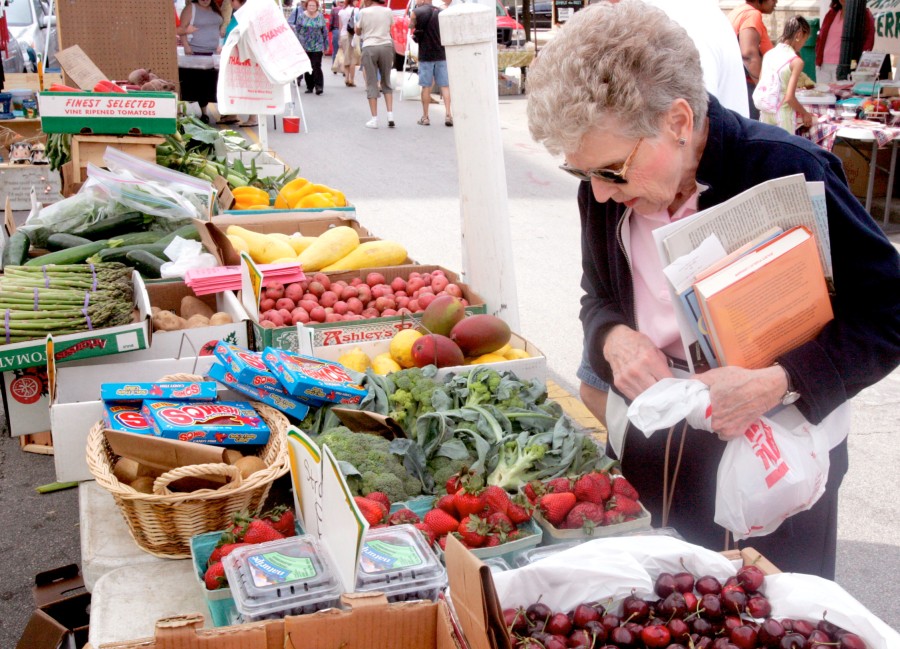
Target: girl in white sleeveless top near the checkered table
{"points": [[776, 93]]}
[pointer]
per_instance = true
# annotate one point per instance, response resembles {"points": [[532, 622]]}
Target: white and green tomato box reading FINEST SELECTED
{"points": [[108, 113]]}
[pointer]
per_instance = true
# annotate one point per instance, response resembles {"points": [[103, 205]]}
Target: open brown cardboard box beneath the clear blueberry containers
{"points": [[369, 622]]}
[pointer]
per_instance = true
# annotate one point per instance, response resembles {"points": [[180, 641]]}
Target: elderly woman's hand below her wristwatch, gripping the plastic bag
{"points": [[738, 396]]}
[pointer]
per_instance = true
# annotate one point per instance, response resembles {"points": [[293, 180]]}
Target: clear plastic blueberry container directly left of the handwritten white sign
{"points": [[291, 576]]}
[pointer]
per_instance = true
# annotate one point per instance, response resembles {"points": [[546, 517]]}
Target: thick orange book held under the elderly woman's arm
{"points": [[768, 302]]}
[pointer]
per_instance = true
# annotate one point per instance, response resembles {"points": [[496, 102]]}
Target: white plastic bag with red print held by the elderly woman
{"points": [[776, 469]]}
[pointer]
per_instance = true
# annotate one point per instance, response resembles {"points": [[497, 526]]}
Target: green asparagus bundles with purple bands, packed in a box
{"points": [[63, 299]]}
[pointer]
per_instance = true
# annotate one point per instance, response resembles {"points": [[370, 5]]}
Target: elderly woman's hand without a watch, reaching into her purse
{"points": [[636, 362]]}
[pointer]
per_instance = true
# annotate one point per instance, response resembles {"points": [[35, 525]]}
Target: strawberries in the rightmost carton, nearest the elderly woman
{"points": [[592, 500]]}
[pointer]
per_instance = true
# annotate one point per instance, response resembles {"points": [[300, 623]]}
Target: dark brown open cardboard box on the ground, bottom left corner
{"points": [[62, 612]]}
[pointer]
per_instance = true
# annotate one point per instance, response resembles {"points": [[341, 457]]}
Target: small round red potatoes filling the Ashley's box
{"points": [[318, 299]]}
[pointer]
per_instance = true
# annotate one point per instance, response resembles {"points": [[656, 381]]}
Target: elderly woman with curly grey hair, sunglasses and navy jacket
{"points": [[619, 93]]}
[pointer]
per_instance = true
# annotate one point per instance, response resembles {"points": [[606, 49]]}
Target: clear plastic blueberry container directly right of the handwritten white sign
{"points": [[397, 561]]}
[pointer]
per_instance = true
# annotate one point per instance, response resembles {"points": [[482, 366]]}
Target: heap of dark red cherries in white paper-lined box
{"points": [[683, 615]]}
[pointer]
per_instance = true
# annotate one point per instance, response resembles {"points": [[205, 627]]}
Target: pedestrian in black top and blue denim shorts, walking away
{"points": [[426, 32]]}
